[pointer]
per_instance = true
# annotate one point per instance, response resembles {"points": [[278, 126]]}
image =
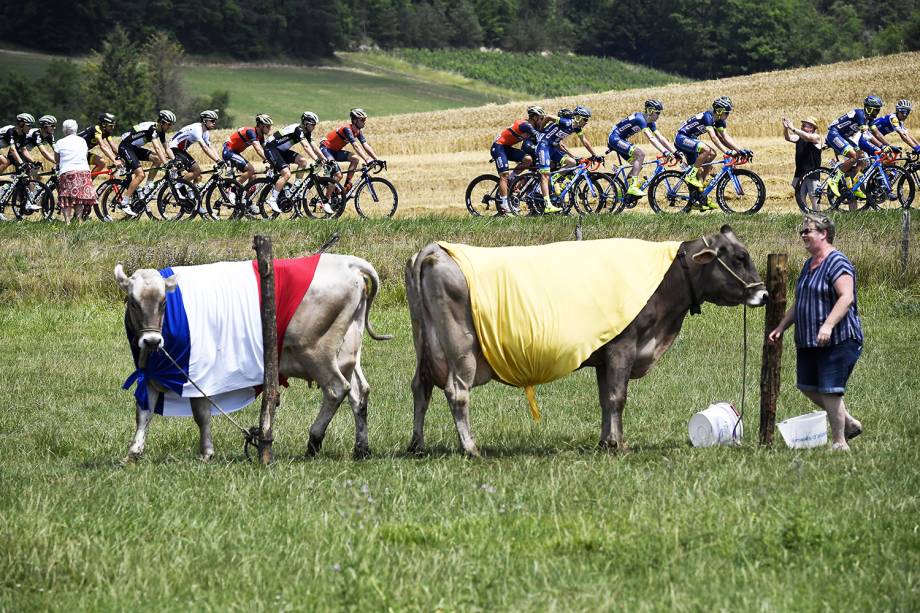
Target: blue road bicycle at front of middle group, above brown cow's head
{"points": [[737, 190]]}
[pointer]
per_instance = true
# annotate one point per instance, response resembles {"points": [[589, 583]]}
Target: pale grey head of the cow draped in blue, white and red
{"points": [[146, 291]]}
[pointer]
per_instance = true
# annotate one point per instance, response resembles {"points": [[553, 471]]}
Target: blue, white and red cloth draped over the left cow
{"points": [[212, 328]]}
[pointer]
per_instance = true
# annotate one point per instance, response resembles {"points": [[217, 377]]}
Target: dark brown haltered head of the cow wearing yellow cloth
{"points": [[728, 277]]}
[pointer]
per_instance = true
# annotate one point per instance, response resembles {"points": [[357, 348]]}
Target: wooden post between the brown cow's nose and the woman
{"points": [[772, 353]]}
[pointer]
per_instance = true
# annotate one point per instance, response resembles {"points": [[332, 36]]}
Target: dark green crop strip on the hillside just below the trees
{"points": [[556, 74]]}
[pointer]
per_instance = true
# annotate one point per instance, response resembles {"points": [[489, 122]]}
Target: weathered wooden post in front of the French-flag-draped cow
{"points": [[263, 247]]}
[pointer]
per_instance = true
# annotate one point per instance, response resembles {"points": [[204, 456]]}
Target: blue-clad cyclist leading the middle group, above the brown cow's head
{"points": [[697, 153]]}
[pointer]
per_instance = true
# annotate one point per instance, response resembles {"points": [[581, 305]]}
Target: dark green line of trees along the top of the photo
{"points": [[696, 38]]}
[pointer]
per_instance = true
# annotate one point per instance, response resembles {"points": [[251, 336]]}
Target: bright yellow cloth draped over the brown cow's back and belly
{"points": [[541, 311]]}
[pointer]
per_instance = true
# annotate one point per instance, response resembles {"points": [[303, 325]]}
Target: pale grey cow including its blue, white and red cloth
{"points": [[197, 330]]}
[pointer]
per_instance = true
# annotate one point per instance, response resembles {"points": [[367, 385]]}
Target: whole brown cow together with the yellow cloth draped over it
{"points": [[531, 315]]}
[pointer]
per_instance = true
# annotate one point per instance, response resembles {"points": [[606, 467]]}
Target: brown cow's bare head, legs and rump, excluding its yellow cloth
{"points": [[716, 268]]}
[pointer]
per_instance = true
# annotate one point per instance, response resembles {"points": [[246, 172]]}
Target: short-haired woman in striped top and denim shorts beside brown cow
{"points": [[828, 333]]}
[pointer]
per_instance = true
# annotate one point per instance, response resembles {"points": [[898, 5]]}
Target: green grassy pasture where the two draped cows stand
{"points": [[543, 522]]}
